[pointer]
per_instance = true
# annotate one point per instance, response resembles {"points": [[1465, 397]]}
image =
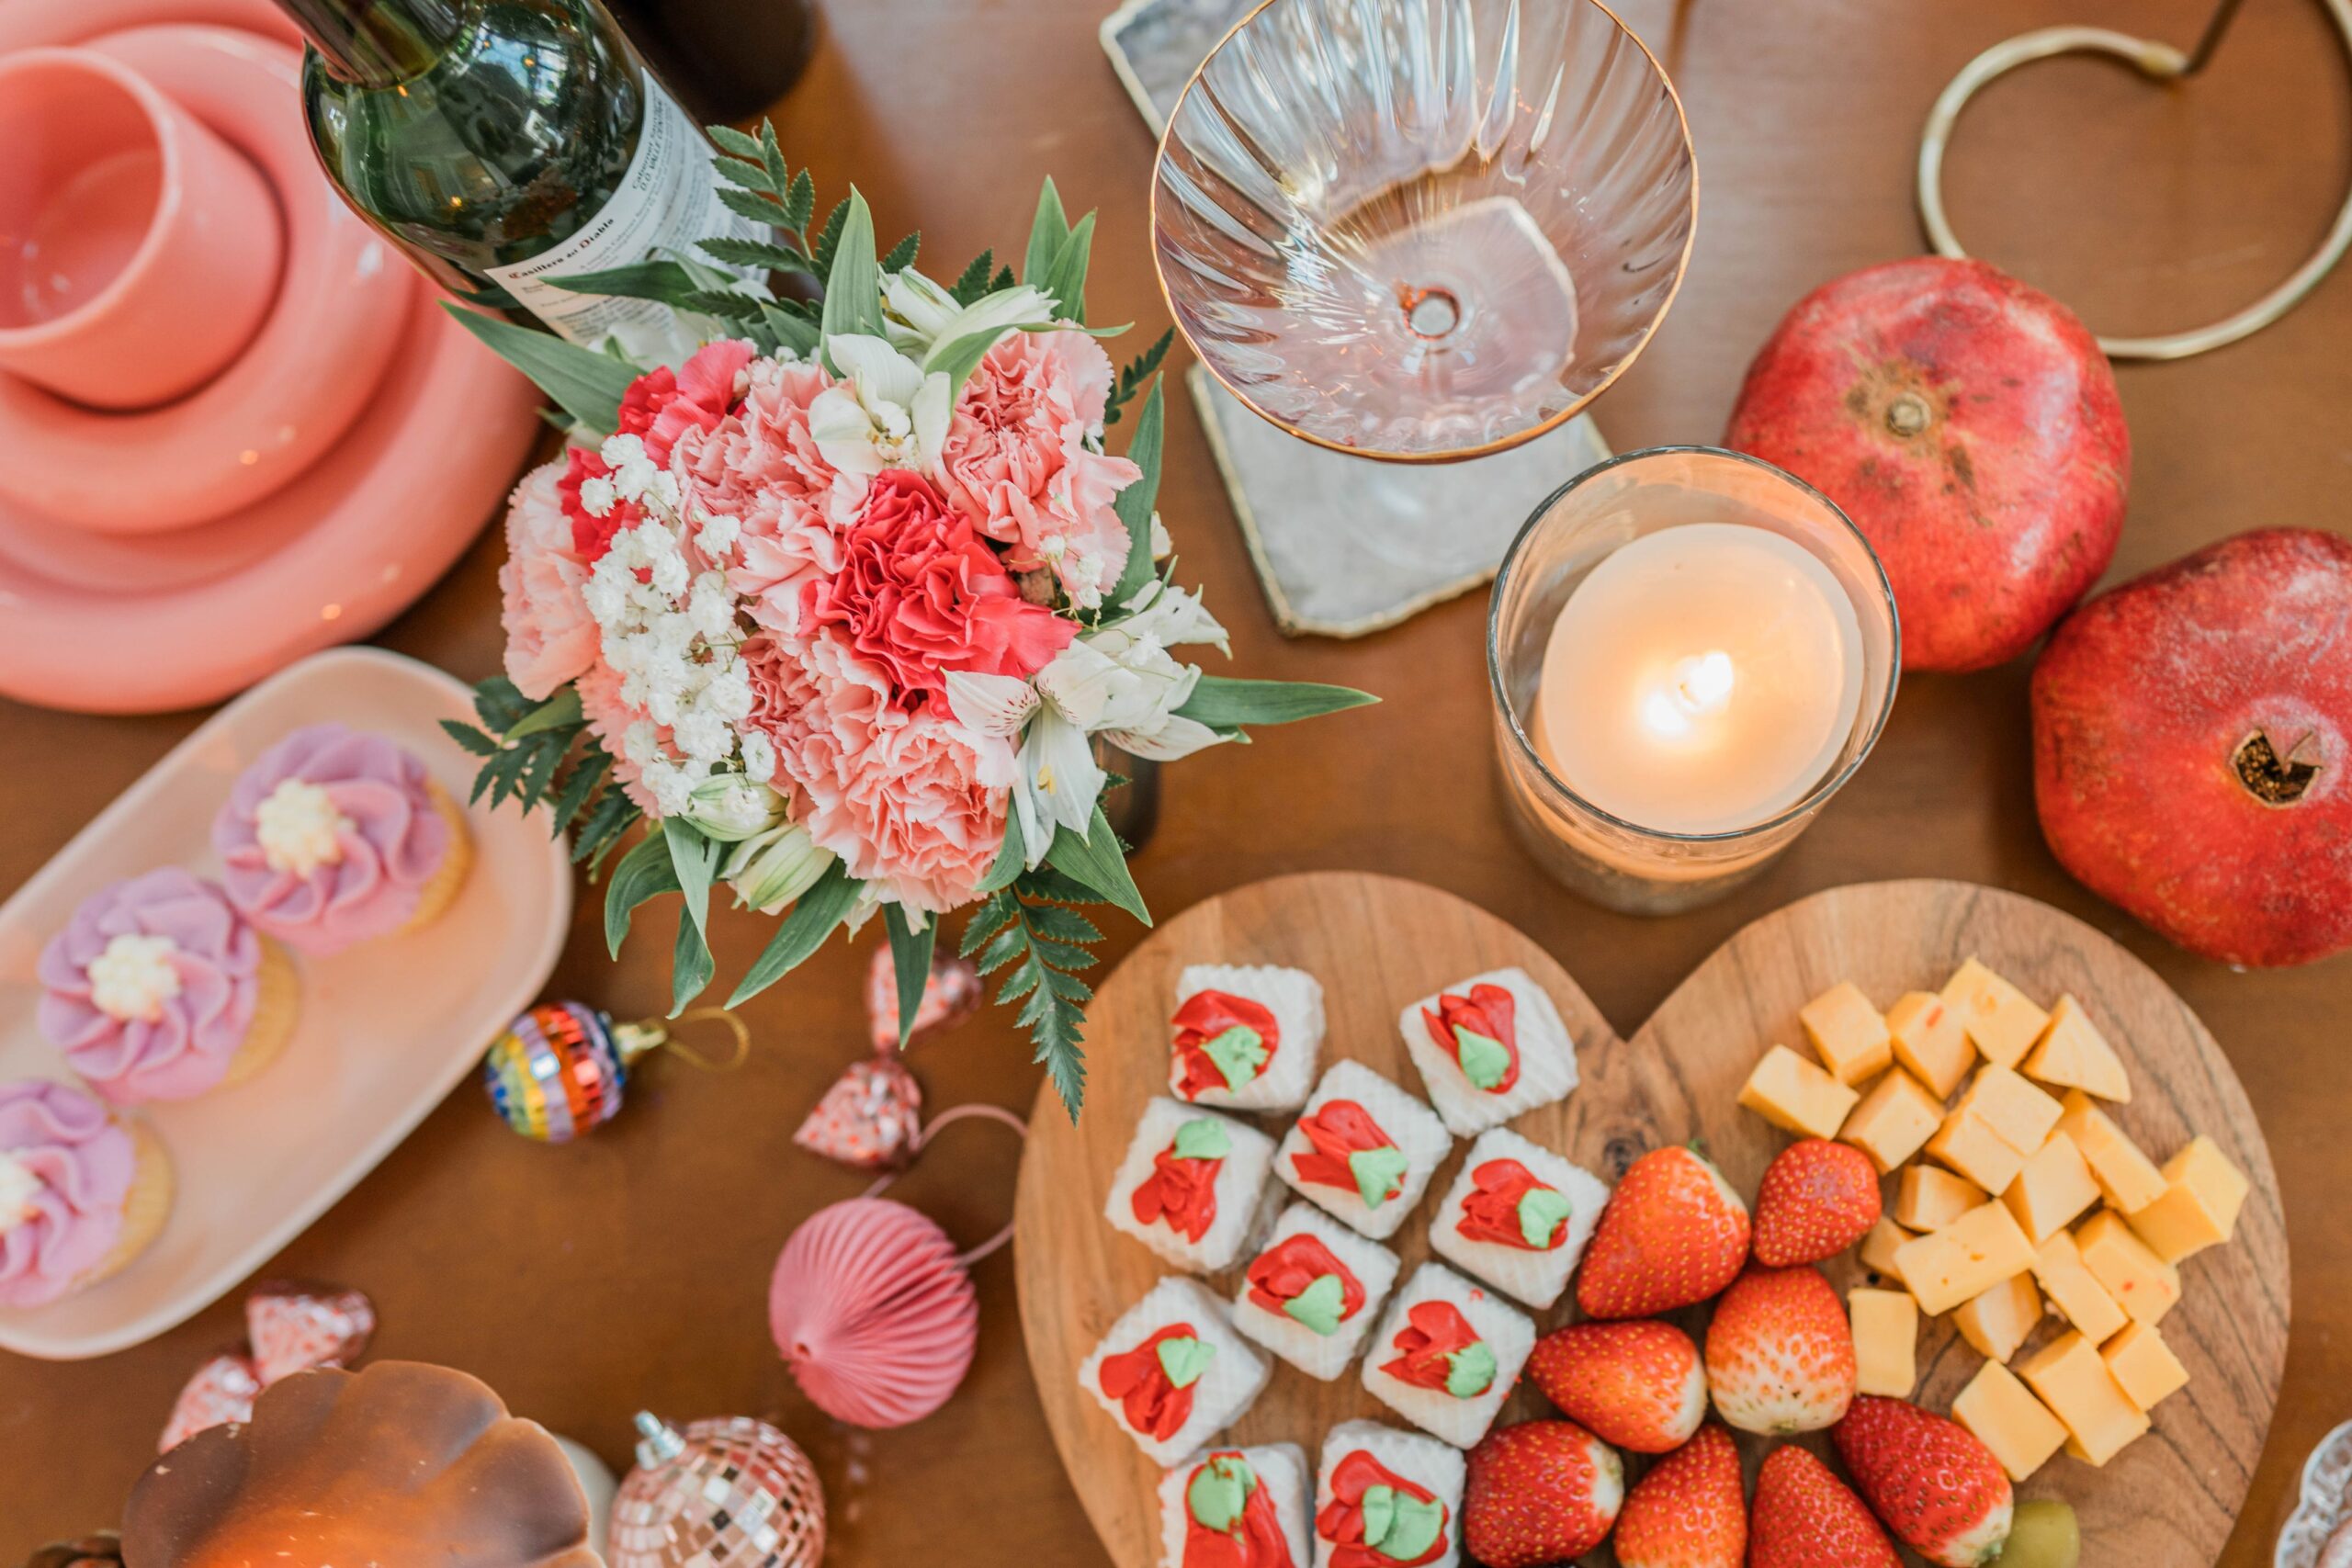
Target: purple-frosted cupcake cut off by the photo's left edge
{"points": [[81, 1193]]}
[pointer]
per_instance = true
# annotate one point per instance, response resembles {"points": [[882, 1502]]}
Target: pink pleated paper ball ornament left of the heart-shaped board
{"points": [[874, 1313]]}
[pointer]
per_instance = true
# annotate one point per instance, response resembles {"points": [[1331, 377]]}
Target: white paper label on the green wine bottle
{"points": [[664, 206]]}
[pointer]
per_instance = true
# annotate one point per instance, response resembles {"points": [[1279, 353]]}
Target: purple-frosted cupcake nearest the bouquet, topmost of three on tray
{"points": [[335, 838]]}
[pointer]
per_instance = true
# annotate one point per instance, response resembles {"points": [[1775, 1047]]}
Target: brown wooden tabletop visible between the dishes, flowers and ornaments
{"points": [[632, 1271]]}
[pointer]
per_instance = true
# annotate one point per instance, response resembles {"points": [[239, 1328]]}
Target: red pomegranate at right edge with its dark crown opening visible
{"points": [[2193, 749]]}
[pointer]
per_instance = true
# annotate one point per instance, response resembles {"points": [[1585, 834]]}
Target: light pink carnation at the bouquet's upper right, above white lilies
{"points": [[1017, 460]]}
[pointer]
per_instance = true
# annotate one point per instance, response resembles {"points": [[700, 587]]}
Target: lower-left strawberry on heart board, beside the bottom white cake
{"points": [[1539, 1494]]}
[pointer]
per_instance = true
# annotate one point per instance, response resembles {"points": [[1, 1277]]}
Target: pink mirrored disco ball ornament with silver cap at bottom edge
{"points": [[728, 1492]]}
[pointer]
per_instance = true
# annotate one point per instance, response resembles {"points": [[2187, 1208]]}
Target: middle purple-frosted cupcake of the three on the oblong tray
{"points": [[159, 991]]}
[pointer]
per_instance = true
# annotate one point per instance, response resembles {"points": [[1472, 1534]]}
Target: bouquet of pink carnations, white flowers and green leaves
{"points": [[843, 605]]}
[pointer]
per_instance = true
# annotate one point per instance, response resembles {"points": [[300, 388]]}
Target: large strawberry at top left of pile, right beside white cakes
{"points": [[1676, 1233]]}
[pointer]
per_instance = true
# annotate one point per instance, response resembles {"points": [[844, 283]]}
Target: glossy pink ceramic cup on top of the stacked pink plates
{"points": [[138, 250]]}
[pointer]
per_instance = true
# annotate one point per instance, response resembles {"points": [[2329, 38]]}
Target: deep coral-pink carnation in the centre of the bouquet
{"points": [[921, 594]]}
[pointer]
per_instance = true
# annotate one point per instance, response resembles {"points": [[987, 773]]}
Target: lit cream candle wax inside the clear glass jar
{"points": [[1702, 681]]}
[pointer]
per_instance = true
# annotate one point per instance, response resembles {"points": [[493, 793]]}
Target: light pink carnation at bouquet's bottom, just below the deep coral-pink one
{"points": [[909, 800]]}
